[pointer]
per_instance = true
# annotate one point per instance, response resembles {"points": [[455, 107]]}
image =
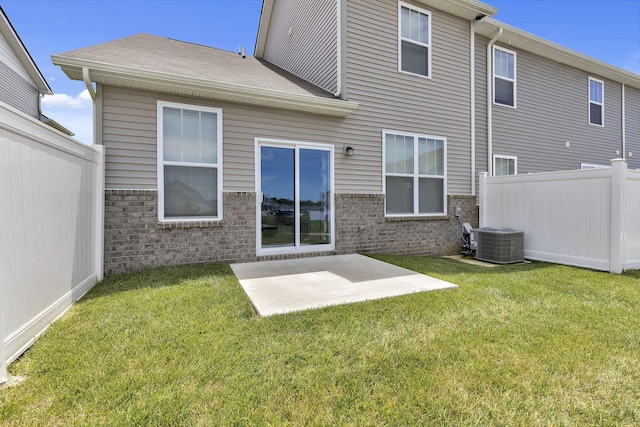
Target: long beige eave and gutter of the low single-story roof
{"points": [[183, 85]]}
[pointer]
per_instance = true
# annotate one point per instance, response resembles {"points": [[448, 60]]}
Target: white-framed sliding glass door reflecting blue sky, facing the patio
{"points": [[295, 206]]}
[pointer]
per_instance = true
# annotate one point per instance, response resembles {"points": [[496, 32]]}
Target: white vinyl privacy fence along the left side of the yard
{"points": [[51, 206]]}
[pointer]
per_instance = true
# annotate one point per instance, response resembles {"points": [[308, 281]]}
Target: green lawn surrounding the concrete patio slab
{"points": [[536, 344]]}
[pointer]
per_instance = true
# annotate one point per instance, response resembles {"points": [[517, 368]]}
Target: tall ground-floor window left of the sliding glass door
{"points": [[189, 162]]}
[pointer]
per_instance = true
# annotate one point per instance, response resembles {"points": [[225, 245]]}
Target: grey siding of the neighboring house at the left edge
{"points": [[18, 92]]}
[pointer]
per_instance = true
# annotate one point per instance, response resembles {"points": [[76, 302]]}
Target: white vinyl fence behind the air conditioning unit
{"points": [[585, 218]]}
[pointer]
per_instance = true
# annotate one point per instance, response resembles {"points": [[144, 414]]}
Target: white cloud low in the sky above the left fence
{"points": [[74, 113]]}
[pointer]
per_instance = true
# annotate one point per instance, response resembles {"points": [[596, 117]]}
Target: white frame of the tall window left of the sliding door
{"points": [[161, 162]]}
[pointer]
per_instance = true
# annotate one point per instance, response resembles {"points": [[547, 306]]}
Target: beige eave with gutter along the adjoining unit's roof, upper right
{"points": [[515, 38]]}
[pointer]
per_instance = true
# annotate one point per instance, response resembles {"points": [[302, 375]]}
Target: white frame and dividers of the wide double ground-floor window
{"points": [[415, 175]]}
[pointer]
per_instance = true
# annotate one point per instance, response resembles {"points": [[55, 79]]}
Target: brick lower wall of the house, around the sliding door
{"points": [[134, 238]]}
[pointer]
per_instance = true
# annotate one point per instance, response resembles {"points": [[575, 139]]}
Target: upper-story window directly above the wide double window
{"points": [[414, 42]]}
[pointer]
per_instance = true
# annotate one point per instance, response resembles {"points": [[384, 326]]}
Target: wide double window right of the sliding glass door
{"points": [[414, 174]]}
